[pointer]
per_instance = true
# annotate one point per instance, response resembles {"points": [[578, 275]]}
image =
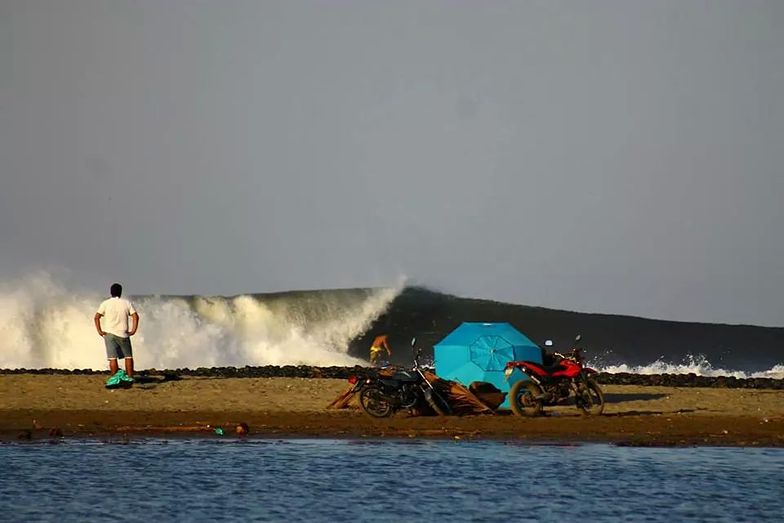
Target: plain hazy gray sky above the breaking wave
{"points": [[621, 157]]}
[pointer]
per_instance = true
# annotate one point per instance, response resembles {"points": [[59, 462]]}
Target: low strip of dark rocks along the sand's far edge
{"points": [[308, 371]]}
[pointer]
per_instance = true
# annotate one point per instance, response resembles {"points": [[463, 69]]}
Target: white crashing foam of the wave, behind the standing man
{"points": [[45, 325]]}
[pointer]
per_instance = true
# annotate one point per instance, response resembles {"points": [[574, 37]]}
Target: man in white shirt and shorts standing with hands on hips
{"points": [[115, 313]]}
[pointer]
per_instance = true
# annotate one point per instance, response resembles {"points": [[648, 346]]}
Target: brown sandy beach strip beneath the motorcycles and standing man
{"points": [[36, 407]]}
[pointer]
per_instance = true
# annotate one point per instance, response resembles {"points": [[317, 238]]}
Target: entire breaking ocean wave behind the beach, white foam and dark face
{"points": [[46, 323]]}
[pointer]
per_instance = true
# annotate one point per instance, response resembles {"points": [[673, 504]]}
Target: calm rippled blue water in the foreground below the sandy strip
{"points": [[340, 480]]}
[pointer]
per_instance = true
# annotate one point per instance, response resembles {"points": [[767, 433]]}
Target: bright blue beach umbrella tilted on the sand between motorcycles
{"points": [[480, 351]]}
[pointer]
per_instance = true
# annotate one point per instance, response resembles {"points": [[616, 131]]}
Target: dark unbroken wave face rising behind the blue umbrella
{"points": [[612, 343]]}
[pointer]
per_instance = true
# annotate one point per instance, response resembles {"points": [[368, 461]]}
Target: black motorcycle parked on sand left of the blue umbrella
{"points": [[382, 395]]}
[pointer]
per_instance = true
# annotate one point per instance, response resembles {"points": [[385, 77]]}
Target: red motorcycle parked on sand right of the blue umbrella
{"points": [[562, 378]]}
